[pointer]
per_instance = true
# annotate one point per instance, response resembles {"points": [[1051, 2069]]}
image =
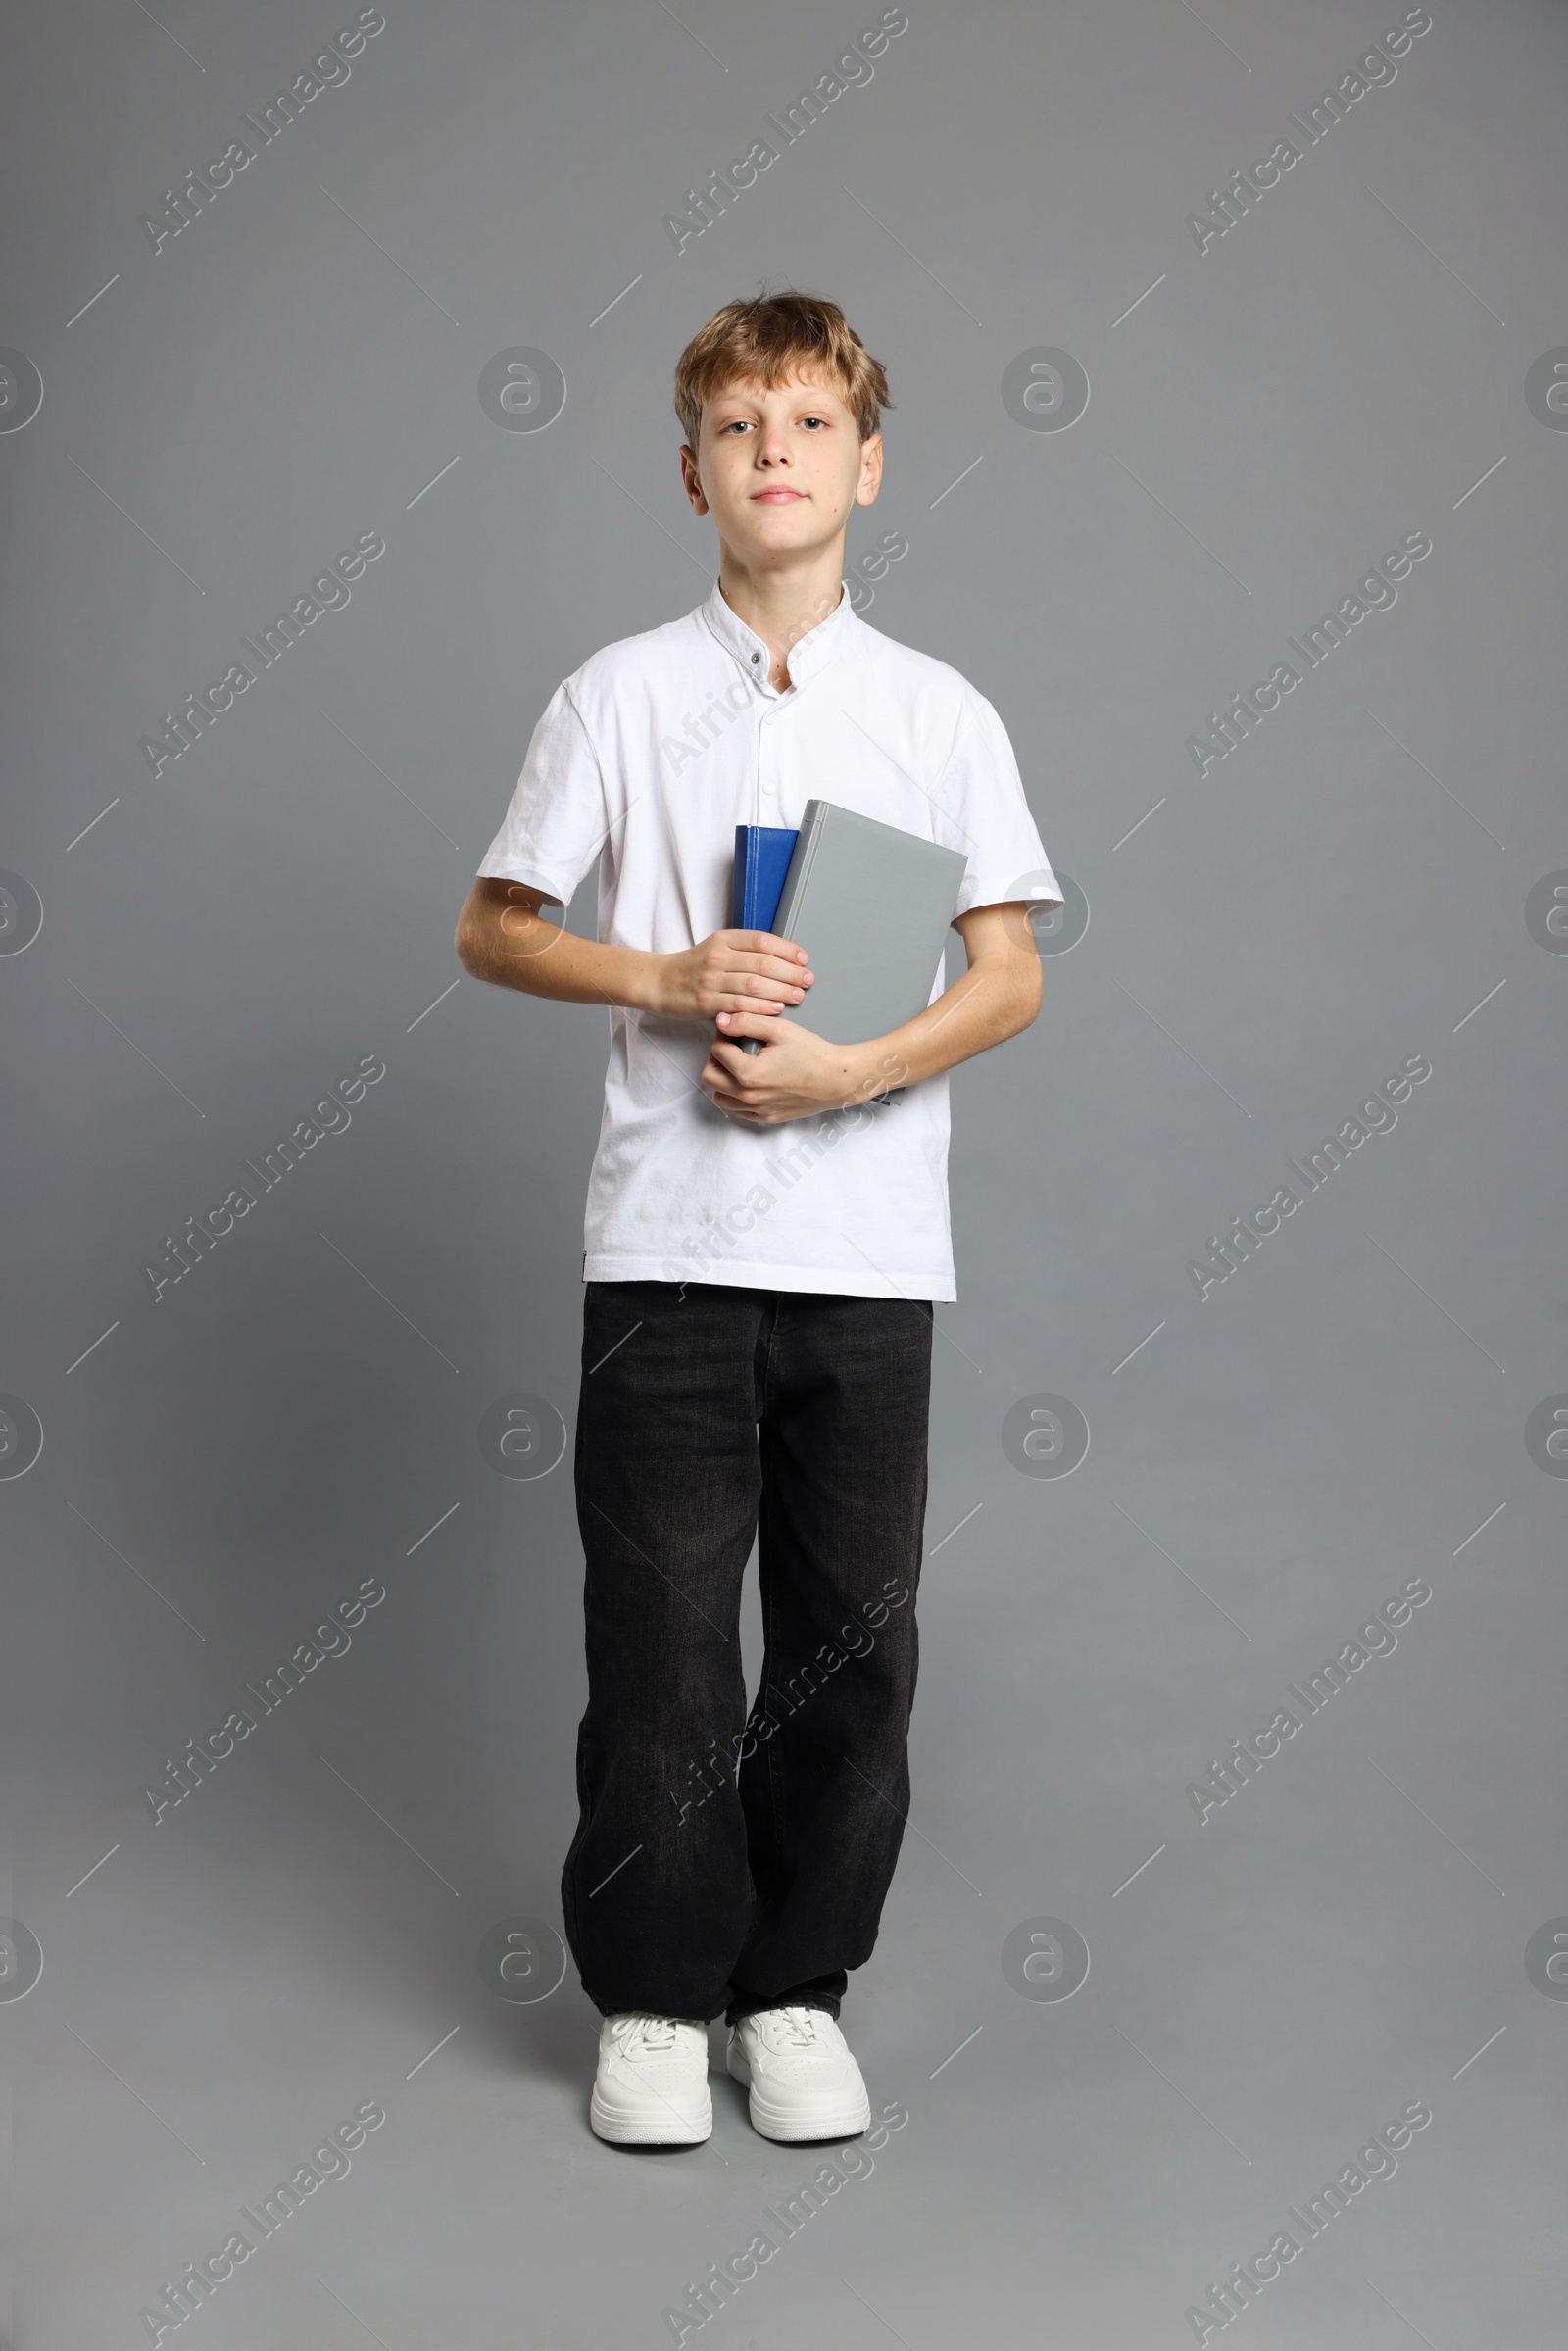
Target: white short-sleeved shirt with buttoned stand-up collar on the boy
{"points": [[648, 758]]}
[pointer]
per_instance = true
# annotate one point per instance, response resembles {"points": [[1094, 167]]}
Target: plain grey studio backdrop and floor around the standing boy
{"points": [[302, 1409]]}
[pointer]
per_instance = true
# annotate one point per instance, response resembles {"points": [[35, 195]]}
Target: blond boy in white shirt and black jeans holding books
{"points": [[758, 1306]]}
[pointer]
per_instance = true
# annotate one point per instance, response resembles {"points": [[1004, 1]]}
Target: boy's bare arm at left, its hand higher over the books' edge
{"points": [[502, 937]]}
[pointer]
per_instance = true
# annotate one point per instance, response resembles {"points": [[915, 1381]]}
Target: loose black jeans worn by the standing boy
{"points": [[728, 1863]]}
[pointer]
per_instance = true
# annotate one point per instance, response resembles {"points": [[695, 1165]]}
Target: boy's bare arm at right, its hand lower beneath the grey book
{"points": [[798, 1073]]}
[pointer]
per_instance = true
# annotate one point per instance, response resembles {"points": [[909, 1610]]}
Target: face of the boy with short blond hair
{"points": [[779, 469]]}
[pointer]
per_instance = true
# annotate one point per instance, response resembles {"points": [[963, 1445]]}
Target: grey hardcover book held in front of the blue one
{"points": [[873, 909]]}
